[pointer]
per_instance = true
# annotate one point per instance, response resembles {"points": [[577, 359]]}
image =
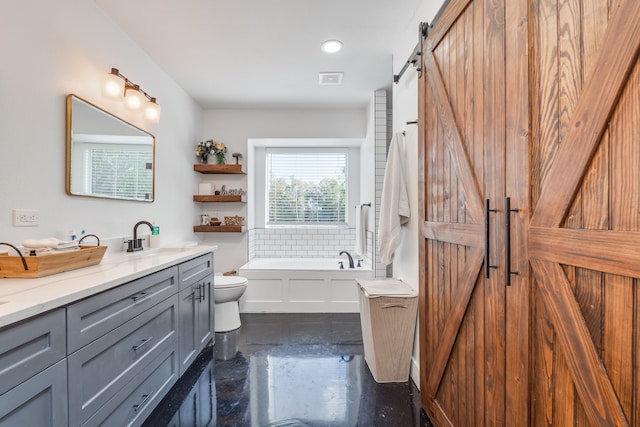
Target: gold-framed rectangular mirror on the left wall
{"points": [[106, 156]]}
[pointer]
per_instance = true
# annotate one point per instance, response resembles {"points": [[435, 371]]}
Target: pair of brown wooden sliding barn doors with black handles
{"points": [[537, 101]]}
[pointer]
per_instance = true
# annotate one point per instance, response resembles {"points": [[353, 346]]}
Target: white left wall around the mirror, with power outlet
{"points": [[53, 48]]}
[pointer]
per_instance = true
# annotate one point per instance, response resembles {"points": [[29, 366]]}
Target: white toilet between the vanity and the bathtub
{"points": [[227, 291]]}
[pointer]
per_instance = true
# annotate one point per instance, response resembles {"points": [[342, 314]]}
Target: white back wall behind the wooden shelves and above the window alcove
{"points": [[235, 127]]}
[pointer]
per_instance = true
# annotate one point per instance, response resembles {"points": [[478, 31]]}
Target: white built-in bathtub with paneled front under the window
{"points": [[301, 285]]}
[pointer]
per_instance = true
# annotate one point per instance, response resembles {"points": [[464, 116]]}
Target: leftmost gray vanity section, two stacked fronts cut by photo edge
{"points": [[33, 380]]}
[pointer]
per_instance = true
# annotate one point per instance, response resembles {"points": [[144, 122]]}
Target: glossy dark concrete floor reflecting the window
{"points": [[294, 370]]}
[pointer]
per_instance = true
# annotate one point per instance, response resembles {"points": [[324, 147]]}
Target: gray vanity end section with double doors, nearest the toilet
{"points": [[196, 308]]}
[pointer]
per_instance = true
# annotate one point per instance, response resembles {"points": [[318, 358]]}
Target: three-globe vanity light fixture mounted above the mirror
{"points": [[118, 86]]}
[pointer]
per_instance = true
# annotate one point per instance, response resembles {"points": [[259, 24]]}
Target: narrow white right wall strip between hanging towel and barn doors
{"points": [[405, 108]]}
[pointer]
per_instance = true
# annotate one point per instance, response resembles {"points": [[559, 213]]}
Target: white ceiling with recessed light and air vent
{"points": [[266, 53]]}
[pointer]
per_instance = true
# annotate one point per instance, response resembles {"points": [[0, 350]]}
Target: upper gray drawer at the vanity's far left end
{"points": [[30, 347]]}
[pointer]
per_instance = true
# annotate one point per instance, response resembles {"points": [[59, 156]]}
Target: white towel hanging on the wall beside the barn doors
{"points": [[394, 205]]}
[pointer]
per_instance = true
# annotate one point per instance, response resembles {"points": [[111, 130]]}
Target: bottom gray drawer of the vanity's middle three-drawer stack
{"points": [[133, 404]]}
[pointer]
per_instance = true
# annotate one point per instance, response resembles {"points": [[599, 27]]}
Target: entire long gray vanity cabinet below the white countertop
{"points": [[110, 358]]}
